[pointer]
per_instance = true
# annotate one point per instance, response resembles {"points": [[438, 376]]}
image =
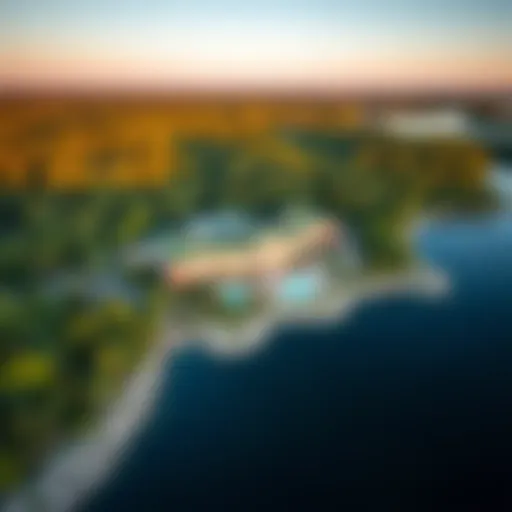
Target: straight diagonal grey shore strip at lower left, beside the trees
{"points": [[79, 467]]}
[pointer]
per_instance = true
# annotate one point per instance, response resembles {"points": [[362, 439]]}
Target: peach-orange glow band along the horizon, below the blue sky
{"points": [[67, 72]]}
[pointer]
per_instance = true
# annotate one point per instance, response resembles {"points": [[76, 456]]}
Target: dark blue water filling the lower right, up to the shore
{"points": [[407, 405]]}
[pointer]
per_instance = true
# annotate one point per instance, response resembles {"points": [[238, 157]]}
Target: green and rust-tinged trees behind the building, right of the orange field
{"points": [[377, 185]]}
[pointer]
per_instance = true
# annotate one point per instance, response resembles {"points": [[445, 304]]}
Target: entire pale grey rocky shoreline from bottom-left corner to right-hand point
{"points": [[78, 468]]}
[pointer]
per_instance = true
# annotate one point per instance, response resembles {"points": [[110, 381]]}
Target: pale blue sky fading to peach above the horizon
{"points": [[321, 45]]}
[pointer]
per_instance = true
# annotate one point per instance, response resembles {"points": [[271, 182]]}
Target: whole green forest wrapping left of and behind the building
{"points": [[64, 356]]}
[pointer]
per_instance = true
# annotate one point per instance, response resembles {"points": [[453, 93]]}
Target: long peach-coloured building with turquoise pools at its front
{"points": [[276, 265]]}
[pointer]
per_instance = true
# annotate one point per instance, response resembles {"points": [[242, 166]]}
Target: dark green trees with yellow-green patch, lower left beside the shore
{"points": [[62, 360]]}
